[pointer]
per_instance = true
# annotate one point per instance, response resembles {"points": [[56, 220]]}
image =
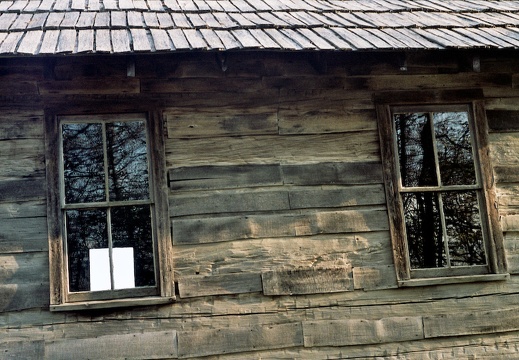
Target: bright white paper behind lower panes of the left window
{"points": [[124, 276]]}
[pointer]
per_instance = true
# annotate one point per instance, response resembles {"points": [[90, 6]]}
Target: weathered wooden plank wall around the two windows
{"points": [[277, 205]]}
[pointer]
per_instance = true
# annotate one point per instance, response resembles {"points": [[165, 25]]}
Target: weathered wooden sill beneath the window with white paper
{"points": [[117, 303]]}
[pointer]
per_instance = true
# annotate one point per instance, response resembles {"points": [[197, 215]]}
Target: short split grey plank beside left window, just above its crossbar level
{"points": [[224, 177]]}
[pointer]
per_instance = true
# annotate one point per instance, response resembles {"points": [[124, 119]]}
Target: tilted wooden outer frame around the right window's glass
{"points": [[472, 101]]}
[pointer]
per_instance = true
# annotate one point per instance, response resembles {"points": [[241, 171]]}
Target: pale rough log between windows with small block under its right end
{"points": [[371, 250]]}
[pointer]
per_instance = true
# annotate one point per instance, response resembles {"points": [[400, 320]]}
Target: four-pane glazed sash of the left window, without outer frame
{"points": [[107, 206]]}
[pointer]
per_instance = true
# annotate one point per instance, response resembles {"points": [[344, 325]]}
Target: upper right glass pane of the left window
{"points": [[127, 160]]}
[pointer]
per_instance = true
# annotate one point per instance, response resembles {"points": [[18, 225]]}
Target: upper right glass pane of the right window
{"points": [[454, 148]]}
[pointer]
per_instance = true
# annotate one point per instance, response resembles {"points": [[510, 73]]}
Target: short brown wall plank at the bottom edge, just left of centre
{"points": [[239, 340]]}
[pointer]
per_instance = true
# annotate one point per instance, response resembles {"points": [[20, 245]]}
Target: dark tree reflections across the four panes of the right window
{"points": [[443, 225]]}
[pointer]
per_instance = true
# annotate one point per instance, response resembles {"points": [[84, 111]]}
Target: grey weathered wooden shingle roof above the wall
{"points": [[46, 27]]}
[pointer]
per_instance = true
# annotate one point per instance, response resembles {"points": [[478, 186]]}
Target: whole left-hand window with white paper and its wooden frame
{"points": [[108, 232]]}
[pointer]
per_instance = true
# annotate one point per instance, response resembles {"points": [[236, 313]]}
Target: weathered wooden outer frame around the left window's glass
{"points": [[60, 298]]}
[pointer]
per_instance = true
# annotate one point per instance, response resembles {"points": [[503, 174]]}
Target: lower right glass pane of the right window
{"points": [[463, 225]]}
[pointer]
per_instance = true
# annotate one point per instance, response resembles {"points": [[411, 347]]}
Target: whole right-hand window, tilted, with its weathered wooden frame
{"points": [[439, 194]]}
